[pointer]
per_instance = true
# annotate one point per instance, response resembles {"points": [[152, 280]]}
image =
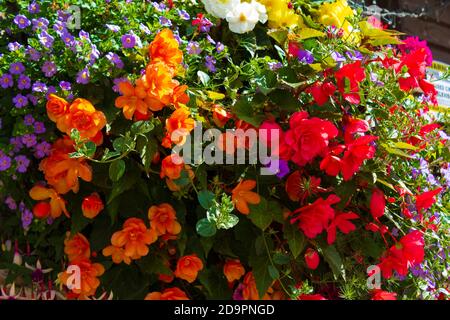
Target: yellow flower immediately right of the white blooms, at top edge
{"points": [[281, 14]]}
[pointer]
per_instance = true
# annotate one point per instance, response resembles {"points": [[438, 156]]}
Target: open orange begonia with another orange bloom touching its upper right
{"points": [[133, 239]]}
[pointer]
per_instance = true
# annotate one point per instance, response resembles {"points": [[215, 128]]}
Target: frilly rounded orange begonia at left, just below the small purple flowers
{"points": [[84, 117]]}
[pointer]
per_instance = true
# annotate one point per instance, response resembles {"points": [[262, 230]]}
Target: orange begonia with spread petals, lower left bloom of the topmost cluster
{"points": [[132, 100]]}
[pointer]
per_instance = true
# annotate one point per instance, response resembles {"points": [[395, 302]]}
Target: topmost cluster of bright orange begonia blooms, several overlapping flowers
{"points": [[157, 88]]}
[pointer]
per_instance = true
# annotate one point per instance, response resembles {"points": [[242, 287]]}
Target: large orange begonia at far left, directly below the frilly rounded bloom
{"points": [[61, 171]]}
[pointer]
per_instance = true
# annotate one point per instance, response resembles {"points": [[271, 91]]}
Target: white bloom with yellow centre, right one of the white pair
{"points": [[243, 17]]}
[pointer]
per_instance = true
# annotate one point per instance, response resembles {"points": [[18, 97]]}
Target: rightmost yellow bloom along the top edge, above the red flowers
{"points": [[336, 14]]}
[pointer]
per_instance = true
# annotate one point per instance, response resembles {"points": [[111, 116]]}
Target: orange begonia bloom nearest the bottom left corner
{"points": [[88, 278]]}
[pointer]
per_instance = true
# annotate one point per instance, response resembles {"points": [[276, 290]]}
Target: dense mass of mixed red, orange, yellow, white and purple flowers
{"points": [[88, 182]]}
